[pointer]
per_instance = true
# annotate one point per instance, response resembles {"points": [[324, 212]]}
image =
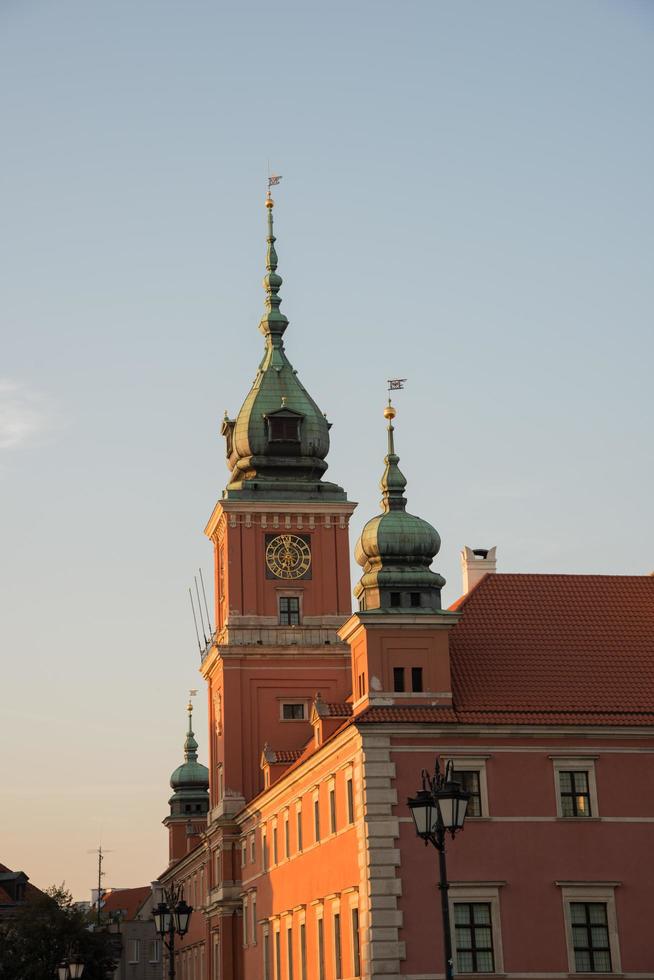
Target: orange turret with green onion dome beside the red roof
{"points": [[399, 637]]}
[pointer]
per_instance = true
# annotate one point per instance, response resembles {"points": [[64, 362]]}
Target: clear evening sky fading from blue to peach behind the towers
{"points": [[466, 203]]}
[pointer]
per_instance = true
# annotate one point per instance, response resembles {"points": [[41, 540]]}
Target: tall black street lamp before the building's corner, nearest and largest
{"points": [[440, 808]]}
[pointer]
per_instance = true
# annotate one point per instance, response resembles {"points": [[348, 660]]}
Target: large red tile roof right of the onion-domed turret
{"points": [[555, 649]]}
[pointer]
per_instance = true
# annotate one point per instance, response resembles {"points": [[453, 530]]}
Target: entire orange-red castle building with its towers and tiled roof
{"points": [[302, 863]]}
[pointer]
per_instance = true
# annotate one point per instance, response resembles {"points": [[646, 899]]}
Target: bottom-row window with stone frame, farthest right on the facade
{"points": [[591, 927]]}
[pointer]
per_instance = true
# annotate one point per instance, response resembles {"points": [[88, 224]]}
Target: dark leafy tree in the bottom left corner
{"points": [[46, 930]]}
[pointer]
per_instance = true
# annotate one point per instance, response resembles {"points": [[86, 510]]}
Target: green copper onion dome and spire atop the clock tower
{"points": [[278, 442]]}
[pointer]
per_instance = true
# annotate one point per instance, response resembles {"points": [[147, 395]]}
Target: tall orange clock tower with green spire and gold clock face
{"points": [[282, 574]]}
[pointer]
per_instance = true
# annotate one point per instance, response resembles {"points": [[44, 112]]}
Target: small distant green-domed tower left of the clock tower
{"points": [[190, 800]]}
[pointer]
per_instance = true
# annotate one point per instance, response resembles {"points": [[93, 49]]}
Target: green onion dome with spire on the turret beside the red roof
{"points": [[396, 549]]}
